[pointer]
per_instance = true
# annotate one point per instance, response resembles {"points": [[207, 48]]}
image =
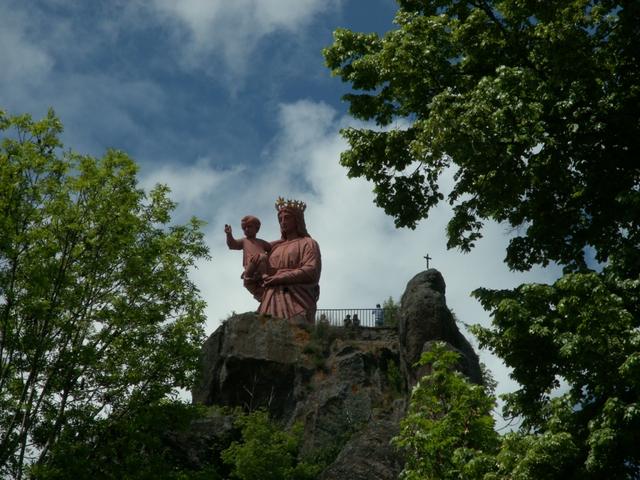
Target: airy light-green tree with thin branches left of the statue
{"points": [[98, 317]]}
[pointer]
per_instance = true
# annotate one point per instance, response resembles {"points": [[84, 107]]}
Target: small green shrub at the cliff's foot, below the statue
{"points": [[268, 452]]}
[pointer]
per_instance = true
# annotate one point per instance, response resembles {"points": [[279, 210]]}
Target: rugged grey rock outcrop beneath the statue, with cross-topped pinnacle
{"points": [[349, 387]]}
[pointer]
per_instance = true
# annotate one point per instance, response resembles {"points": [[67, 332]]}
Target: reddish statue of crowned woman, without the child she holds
{"points": [[293, 267]]}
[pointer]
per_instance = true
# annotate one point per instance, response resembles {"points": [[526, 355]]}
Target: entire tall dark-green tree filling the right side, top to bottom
{"points": [[535, 107]]}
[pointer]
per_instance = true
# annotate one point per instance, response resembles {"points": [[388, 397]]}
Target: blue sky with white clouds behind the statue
{"points": [[230, 104]]}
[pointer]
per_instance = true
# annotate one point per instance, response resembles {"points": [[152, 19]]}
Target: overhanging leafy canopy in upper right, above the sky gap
{"points": [[534, 104]]}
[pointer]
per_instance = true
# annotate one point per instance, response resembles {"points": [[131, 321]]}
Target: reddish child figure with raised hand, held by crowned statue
{"points": [[254, 254]]}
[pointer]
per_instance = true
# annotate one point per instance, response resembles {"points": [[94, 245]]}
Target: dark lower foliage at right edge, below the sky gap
{"points": [[588, 326]]}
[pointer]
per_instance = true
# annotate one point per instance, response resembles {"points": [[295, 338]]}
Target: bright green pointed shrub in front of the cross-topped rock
{"points": [[448, 422]]}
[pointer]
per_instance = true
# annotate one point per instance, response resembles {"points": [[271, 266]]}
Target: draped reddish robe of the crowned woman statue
{"points": [[297, 265]]}
